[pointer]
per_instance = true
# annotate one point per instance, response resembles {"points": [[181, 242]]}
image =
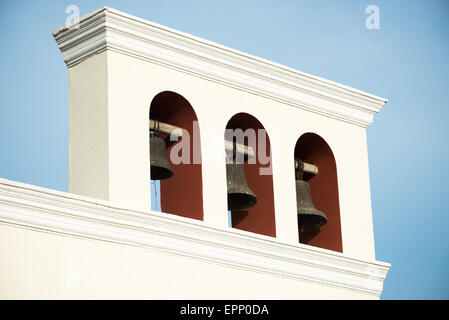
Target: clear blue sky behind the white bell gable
{"points": [[406, 61]]}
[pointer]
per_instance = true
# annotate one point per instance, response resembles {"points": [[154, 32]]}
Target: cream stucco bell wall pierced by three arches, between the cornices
{"points": [[131, 85]]}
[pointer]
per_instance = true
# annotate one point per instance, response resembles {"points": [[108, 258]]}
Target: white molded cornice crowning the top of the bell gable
{"points": [[111, 29]]}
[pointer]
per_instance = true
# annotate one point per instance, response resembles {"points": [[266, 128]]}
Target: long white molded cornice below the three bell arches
{"points": [[63, 213]]}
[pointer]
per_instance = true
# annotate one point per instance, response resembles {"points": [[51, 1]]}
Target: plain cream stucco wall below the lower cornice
{"points": [[38, 265]]}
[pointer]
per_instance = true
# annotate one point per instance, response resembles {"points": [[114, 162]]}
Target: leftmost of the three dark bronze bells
{"points": [[160, 167]]}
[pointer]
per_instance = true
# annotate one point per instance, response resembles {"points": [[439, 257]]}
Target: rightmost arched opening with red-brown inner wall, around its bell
{"points": [[312, 149]]}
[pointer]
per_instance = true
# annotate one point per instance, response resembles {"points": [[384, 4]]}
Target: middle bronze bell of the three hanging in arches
{"points": [[240, 196]]}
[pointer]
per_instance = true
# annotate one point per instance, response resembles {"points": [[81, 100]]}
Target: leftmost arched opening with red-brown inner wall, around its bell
{"points": [[182, 194]]}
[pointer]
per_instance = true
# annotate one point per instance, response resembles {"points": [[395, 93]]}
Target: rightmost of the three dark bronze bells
{"points": [[308, 216]]}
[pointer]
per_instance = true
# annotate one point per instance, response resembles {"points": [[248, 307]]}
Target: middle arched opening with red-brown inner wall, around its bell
{"points": [[260, 217]]}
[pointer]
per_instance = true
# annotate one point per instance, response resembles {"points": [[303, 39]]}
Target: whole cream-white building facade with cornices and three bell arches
{"points": [[102, 240]]}
